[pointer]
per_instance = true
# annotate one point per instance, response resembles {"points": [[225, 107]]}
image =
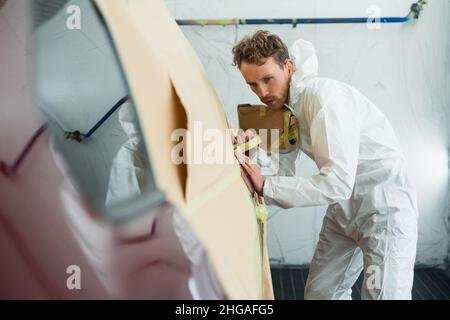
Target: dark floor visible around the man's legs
{"points": [[429, 284]]}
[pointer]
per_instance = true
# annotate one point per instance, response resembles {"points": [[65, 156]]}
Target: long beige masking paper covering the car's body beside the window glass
{"points": [[171, 90]]}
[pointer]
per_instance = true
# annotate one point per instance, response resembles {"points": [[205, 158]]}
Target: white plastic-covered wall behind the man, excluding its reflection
{"points": [[403, 68]]}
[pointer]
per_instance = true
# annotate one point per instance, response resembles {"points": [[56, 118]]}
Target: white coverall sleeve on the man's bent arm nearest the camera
{"points": [[335, 140]]}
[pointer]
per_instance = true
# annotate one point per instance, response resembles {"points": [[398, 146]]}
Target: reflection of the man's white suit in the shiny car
{"points": [[128, 179]]}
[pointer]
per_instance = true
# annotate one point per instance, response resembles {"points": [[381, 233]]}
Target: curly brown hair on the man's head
{"points": [[257, 48]]}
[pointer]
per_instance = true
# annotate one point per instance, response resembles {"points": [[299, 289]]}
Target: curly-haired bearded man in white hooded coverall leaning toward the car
{"points": [[371, 220]]}
